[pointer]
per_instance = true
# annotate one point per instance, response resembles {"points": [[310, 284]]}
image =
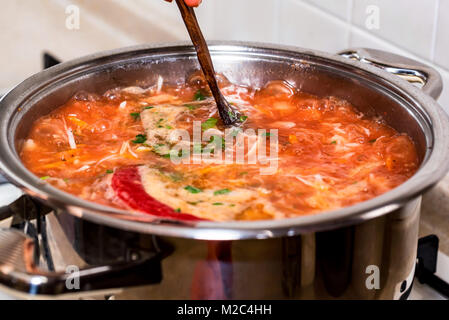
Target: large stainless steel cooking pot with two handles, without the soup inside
{"points": [[338, 254]]}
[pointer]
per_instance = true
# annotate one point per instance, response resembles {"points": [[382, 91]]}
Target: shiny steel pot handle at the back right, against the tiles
{"points": [[408, 69]]}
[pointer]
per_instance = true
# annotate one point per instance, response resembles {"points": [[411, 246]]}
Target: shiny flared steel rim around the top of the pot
{"points": [[433, 169]]}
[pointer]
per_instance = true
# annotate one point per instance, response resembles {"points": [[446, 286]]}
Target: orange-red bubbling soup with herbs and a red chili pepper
{"points": [[118, 150]]}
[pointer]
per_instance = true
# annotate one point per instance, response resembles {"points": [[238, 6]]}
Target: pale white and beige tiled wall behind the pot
{"points": [[414, 28]]}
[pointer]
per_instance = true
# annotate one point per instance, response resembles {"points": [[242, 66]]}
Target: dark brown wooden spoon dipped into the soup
{"points": [[228, 115]]}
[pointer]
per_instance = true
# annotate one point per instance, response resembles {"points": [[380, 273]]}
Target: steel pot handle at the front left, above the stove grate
{"points": [[19, 272]]}
